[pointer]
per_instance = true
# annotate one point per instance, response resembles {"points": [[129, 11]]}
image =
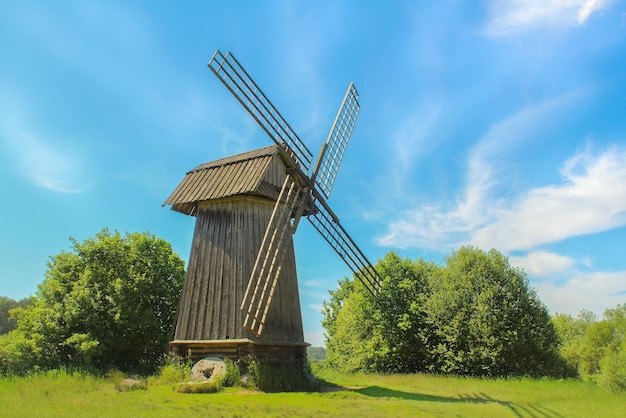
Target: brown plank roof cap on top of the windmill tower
{"points": [[259, 172]]}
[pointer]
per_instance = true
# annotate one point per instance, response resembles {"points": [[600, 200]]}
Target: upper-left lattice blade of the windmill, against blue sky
{"points": [[237, 80]]}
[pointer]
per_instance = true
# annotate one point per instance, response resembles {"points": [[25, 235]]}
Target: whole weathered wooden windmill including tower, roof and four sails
{"points": [[241, 292]]}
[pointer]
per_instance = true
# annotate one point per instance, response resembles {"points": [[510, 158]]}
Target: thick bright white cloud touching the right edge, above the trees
{"points": [[590, 199]]}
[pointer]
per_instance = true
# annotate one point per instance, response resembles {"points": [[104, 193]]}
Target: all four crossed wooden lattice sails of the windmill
{"points": [[299, 192]]}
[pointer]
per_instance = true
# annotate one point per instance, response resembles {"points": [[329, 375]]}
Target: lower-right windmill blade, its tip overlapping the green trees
{"points": [[327, 224]]}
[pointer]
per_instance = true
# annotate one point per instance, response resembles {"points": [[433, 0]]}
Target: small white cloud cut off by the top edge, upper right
{"points": [[511, 16]]}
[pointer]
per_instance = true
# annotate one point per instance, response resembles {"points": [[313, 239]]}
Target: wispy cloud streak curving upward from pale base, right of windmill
{"points": [[477, 206]]}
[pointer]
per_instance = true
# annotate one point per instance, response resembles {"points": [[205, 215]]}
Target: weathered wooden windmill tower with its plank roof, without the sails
{"points": [[233, 200]]}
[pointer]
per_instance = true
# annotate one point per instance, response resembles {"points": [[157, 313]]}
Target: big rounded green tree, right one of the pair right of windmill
{"points": [[487, 320]]}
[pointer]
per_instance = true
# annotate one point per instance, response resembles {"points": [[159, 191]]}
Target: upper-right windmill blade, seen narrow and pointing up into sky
{"points": [[327, 165]]}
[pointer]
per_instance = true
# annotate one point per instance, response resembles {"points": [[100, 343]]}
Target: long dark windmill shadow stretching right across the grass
{"points": [[482, 398]]}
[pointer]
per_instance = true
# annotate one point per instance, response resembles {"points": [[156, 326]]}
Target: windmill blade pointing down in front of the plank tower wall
{"points": [[285, 218]]}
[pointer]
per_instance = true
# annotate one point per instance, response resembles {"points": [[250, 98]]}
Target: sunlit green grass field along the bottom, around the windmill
{"points": [[63, 394]]}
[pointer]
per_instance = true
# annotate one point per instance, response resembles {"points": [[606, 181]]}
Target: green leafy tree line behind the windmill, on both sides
{"points": [[110, 302]]}
